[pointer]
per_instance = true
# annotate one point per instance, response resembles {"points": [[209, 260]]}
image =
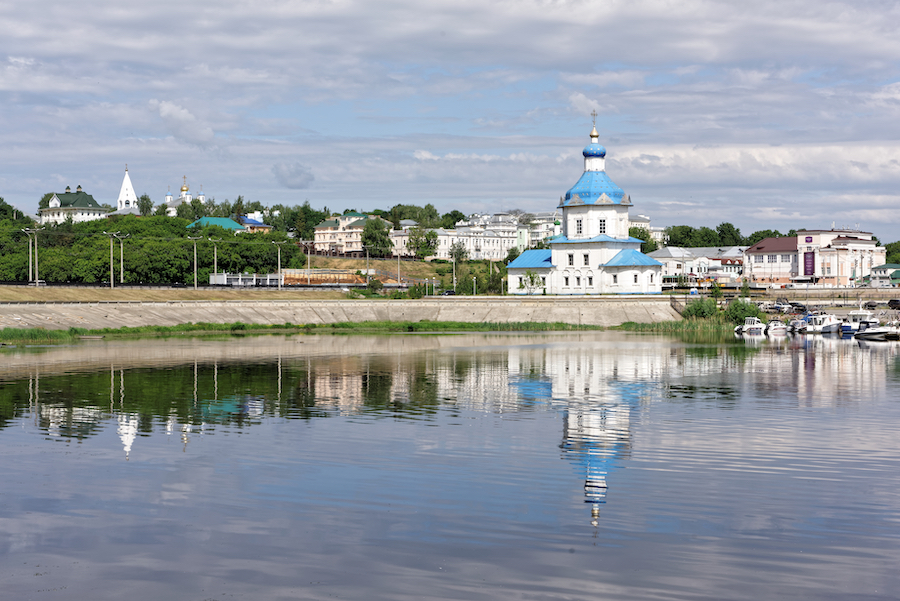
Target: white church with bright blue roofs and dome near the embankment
{"points": [[594, 254]]}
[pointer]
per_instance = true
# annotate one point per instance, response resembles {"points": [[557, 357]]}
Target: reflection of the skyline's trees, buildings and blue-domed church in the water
{"points": [[599, 385]]}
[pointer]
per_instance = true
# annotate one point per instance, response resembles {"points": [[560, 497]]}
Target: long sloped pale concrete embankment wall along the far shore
{"points": [[600, 311]]}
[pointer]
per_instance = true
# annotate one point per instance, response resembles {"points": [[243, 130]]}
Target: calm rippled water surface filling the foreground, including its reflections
{"points": [[550, 466]]}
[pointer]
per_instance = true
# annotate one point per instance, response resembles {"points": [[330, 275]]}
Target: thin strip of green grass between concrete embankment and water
{"points": [[42, 336]]}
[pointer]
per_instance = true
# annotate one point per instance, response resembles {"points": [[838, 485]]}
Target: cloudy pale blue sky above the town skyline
{"points": [[768, 115]]}
